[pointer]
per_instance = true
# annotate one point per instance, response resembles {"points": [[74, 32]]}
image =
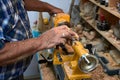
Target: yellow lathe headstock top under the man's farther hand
{"points": [[61, 18]]}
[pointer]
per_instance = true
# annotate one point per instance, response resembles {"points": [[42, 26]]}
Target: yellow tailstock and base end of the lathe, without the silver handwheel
{"points": [[71, 67]]}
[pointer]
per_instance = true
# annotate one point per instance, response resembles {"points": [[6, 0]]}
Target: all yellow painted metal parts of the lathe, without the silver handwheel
{"points": [[70, 62]]}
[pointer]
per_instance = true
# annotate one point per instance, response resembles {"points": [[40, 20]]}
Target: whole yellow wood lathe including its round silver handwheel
{"points": [[76, 66]]}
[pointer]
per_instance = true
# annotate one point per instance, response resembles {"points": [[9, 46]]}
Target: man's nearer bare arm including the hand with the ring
{"points": [[15, 51]]}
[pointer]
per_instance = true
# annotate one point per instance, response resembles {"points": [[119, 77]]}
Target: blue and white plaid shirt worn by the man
{"points": [[14, 26]]}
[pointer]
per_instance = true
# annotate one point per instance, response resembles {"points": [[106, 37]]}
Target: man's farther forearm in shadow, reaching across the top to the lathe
{"points": [[36, 5]]}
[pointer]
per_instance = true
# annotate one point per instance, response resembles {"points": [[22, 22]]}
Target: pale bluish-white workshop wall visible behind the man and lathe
{"points": [[33, 16]]}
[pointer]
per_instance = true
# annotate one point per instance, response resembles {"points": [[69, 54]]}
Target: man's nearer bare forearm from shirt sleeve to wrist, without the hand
{"points": [[16, 51]]}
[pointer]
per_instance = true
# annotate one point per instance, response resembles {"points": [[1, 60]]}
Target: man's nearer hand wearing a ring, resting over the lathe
{"points": [[55, 36]]}
